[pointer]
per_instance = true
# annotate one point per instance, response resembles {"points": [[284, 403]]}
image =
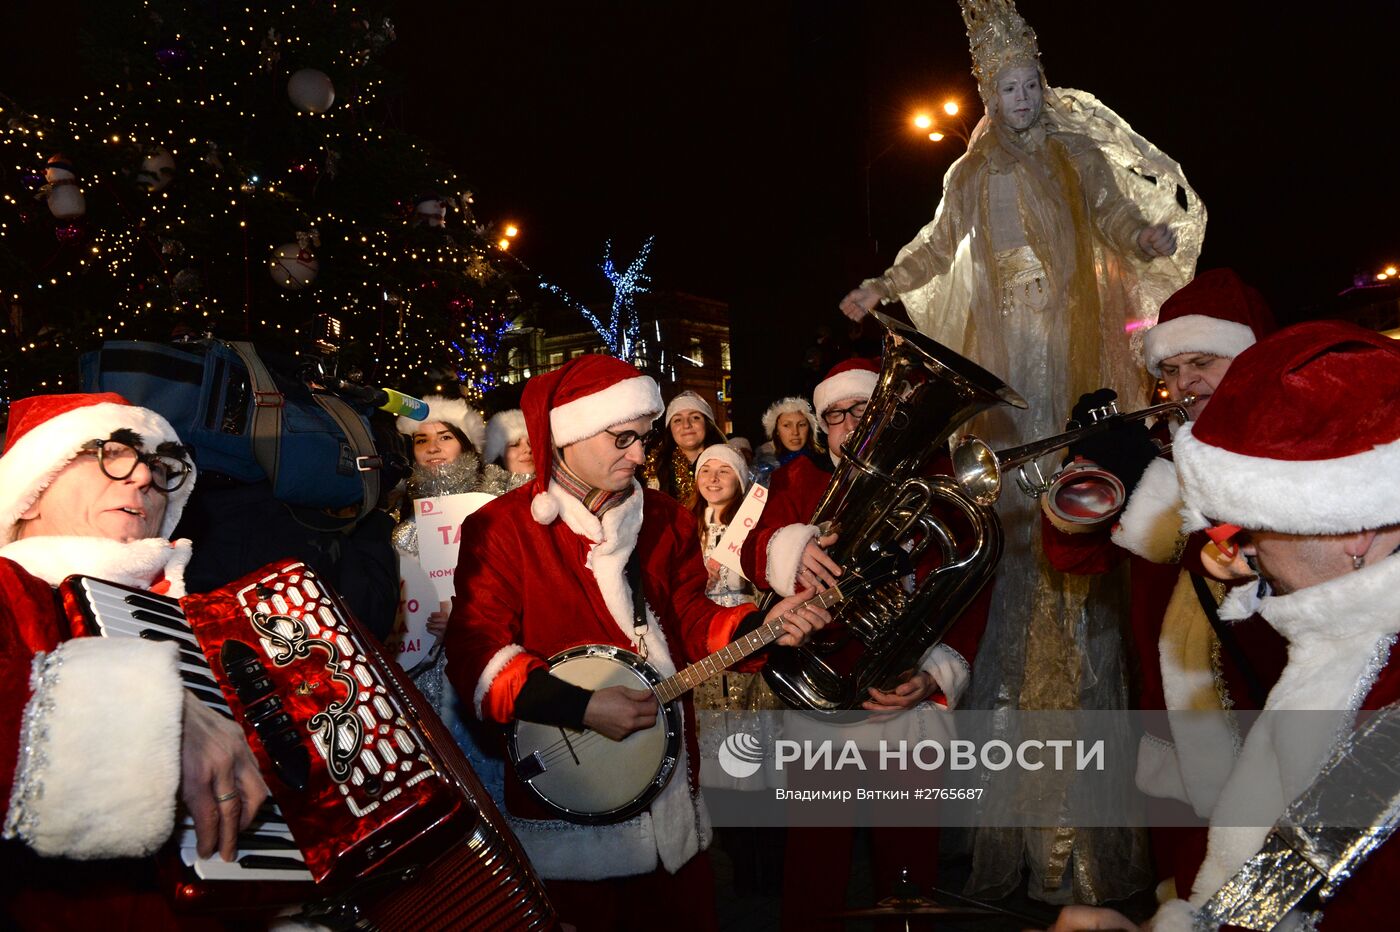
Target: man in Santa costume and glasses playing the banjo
{"points": [[542, 570]]}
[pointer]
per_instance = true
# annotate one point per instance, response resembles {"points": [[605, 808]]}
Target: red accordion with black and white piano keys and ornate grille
{"points": [[376, 817]]}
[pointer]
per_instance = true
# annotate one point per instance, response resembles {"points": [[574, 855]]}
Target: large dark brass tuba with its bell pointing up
{"points": [[888, 511]]}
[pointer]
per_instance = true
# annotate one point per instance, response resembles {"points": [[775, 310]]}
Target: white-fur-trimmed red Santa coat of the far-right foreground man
{"points": [[1342, 657]]}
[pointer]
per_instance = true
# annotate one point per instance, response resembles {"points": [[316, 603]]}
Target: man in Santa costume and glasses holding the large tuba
{"points": [[786, 553]]}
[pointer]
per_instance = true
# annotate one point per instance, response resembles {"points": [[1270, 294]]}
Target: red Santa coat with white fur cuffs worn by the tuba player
{"points": [[773, 552]]}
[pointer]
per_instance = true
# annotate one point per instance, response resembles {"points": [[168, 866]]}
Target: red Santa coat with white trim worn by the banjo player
{"points": [[527, 591]]}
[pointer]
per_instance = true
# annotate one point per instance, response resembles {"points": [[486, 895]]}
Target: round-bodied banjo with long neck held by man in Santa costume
{"points": [[584, 777]]}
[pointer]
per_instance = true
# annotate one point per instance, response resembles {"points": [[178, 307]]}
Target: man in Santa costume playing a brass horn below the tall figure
{"points": [[1188, 660]]}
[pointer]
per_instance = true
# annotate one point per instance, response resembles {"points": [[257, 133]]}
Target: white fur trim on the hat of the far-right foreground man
{"points": [[1298, 497]]}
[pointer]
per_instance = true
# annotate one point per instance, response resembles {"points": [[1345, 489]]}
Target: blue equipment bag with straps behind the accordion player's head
{"points": [[243, 422]]}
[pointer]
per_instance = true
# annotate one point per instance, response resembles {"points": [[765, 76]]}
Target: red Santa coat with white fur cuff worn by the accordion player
{"points": [[90, 738]]}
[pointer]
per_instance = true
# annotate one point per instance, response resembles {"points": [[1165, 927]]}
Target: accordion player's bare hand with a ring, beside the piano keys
{"points": [[220, 783]]}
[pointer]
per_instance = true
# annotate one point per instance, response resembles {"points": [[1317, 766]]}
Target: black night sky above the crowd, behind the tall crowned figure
{"points": [[738, 135]]}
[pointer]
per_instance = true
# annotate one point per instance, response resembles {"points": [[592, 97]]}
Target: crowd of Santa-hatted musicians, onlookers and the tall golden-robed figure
{"points": [[1248, 563]]}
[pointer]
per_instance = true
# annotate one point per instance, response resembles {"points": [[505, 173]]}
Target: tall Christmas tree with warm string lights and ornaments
{"points": [[239, 174]]}
